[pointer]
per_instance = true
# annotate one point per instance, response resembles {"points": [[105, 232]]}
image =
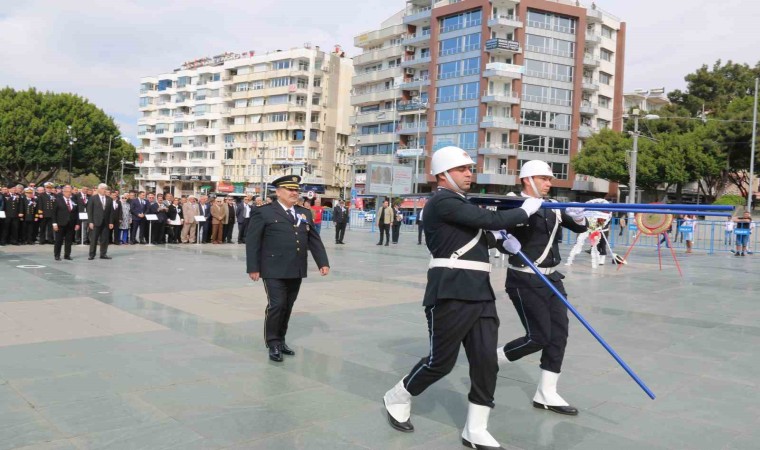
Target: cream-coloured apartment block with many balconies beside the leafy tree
{"points": [[234, 122]]}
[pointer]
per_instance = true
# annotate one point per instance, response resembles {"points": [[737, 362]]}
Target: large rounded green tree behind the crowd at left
{"points": [[34, 143]]}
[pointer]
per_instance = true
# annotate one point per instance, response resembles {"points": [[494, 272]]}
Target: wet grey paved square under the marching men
{"points": [[162, 348]]}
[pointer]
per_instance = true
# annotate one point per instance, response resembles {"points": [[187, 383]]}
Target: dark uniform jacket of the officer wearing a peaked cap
{"points": [[277, 246]]}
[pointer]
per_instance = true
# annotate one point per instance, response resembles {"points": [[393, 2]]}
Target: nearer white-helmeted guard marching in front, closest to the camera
{"points": [[459, 301]]}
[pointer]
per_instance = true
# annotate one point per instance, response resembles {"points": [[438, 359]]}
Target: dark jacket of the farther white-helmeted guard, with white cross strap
{"points": [[533, 237]]}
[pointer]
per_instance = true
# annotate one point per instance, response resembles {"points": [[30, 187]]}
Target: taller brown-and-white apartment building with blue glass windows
{"points": [[507, 80]]}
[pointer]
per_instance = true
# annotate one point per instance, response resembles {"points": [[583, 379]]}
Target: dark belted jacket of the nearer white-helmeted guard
{"points": [[451, 221]]}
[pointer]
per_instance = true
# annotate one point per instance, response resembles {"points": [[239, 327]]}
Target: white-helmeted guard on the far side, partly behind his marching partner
{"points": [[543, 315]]}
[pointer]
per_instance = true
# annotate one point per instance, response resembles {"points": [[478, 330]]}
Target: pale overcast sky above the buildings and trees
{"points": [[99, 49]]}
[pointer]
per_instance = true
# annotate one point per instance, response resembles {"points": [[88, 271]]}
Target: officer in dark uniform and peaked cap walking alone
{"points": [[278, 239]]}
